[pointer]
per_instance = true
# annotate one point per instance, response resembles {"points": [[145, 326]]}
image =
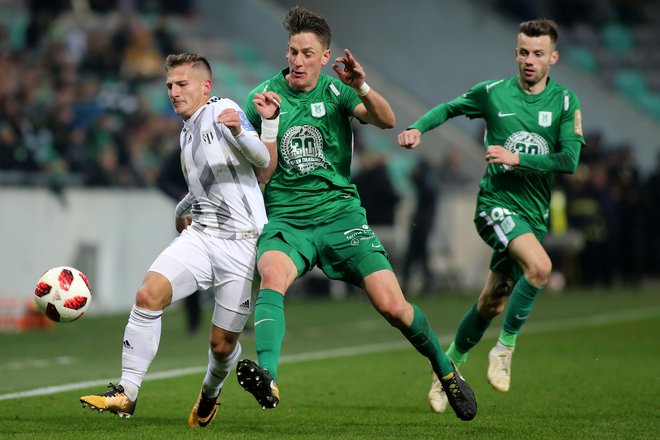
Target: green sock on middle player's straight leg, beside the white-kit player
{"points": [[269, 329]]}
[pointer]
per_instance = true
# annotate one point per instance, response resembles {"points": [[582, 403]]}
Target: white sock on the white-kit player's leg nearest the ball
{"points": [[141, 339]]}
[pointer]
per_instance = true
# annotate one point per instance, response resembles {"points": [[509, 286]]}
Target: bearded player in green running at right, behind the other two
{"points": [[533, 131]]}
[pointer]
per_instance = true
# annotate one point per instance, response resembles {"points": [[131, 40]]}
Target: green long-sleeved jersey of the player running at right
{"points": [[531, 125]]}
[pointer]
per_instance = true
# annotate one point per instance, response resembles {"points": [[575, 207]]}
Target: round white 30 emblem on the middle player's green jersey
{"points": [[302, 149]]}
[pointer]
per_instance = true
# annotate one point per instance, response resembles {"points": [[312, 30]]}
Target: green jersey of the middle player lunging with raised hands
{"points": [[315, 148]]}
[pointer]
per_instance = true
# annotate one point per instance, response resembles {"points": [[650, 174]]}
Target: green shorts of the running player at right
{"points": [[497, 226]]}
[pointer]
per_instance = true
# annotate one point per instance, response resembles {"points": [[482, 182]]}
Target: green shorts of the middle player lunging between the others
{"points": [[344, 249]]}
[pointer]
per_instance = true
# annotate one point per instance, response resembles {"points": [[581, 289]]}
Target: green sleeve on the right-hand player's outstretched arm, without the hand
{"points": [[468, 104]]}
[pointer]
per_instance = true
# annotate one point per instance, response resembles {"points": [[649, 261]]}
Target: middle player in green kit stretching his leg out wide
{"points": [[315, 217]]}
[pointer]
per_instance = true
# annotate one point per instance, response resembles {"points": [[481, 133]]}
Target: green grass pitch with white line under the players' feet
{"points": [[586, 366]]}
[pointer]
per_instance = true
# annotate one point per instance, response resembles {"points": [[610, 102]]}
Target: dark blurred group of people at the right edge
{"points": [[614, 209]]}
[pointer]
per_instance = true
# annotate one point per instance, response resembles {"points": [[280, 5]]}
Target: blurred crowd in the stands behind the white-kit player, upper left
{"points": [[82, 101]]}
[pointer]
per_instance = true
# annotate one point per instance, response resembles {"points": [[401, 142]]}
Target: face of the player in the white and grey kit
{"points": [[188, 89]]}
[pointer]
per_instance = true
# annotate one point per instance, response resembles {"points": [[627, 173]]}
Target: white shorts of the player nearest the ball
{"points": [[195, 261]]}
